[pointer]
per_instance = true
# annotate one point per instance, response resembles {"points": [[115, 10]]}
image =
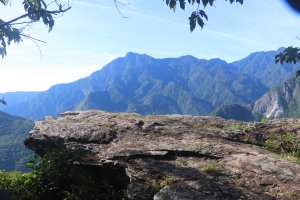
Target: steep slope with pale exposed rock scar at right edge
{"points": [[282, 101]]}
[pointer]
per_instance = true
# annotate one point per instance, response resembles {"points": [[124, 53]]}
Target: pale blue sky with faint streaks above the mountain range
{"points": [[93, 33]]}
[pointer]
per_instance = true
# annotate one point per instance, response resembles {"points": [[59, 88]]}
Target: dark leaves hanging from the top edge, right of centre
{"points": [[199, 15]]}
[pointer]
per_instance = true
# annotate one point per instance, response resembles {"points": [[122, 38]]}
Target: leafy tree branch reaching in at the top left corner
{"points": [[35, 11]]}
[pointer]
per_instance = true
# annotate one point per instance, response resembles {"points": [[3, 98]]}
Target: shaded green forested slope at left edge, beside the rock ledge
{"points": [[13, 153]]}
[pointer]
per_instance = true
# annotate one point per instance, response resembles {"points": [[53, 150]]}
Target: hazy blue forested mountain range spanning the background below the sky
{"points": [[143, 84]]}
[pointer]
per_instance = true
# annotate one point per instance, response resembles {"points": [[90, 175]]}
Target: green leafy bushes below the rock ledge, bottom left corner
{"points": [[56, 175]]}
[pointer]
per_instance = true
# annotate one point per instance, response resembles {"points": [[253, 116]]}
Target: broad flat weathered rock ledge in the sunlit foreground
{"points": [[176, 156]]}
